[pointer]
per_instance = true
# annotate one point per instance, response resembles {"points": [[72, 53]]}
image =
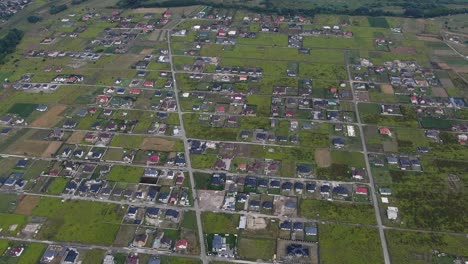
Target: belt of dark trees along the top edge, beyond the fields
{"points": [[414, 9]]}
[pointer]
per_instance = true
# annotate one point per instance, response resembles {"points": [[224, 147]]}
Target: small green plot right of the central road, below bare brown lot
{"points": [[219, 223]]}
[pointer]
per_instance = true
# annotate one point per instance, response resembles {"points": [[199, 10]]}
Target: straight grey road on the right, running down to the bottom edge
{"points": [[375, 202]]}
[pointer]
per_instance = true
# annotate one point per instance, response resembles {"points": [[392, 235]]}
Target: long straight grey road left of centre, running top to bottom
{"points": [[187, 157]]}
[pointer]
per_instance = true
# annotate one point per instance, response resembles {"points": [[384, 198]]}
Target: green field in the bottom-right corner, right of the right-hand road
{"points": [[413, 247]]}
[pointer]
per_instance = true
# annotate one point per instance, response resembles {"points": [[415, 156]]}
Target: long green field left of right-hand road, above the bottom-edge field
{"points": [[336, 211]]}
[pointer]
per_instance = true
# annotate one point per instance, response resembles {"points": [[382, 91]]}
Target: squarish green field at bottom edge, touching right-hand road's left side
{"points": [[349, 245]]}
